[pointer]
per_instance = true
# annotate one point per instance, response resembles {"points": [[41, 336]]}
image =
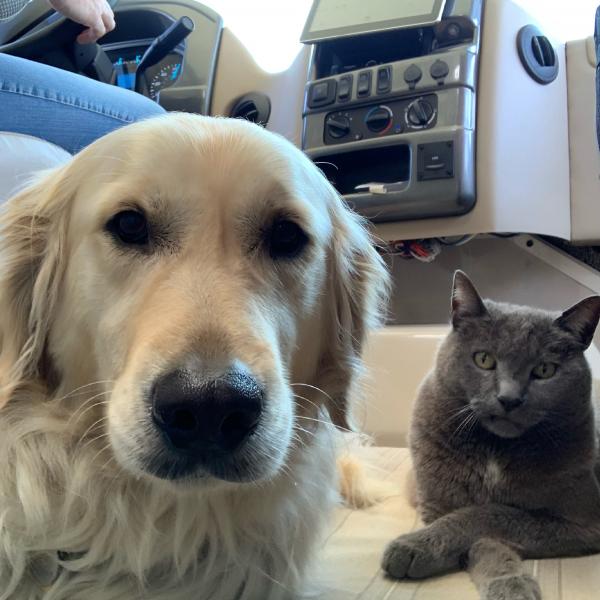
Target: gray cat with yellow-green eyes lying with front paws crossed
{"points": [[505, 447]]}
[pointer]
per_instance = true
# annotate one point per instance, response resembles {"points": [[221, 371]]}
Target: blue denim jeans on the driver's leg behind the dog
{"points": [[66, 109]]}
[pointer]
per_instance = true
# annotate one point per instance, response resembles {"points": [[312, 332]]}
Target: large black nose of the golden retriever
{"points": [[196, 415]]}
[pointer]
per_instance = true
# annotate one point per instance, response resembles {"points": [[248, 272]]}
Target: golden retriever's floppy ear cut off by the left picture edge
{"points": [[32, 237]]}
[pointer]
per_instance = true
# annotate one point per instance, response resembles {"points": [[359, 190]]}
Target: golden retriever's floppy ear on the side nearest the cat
{"points": [[358, 290]]}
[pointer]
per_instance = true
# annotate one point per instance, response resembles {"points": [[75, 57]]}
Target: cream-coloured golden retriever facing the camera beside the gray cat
{"points": [[182, 312]]}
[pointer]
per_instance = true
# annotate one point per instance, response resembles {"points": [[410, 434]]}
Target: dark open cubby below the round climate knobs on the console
{"points": [[388, 164]]}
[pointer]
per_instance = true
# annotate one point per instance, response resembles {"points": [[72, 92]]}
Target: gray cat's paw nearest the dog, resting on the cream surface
{"points": [[418, 555]]}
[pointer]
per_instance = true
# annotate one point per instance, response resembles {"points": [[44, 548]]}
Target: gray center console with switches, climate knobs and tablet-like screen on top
{"points": [[390, 105]]}
